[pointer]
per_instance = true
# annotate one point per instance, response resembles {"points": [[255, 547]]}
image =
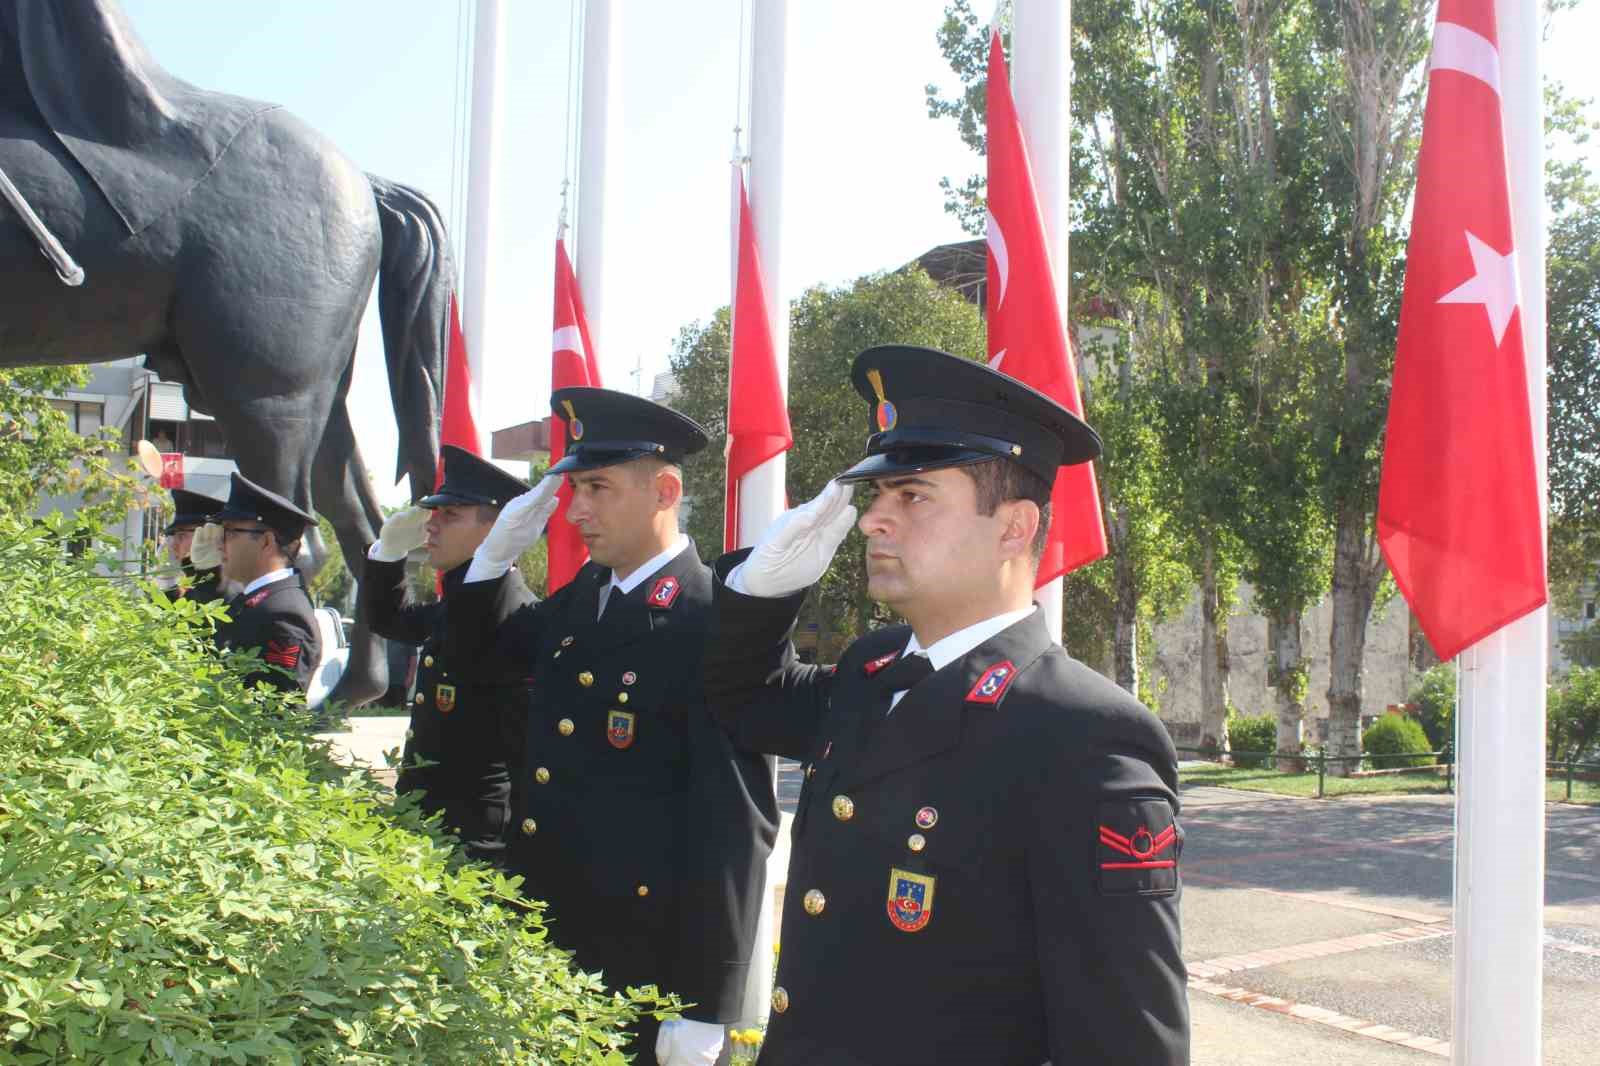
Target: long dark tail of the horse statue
{"points": [[417, 279]]}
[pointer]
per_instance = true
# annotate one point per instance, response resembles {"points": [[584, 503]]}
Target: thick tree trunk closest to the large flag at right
{"points": [[1354, 583]]}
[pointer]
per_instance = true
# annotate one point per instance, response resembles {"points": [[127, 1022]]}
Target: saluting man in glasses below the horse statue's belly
{"points": [[262, 537]]}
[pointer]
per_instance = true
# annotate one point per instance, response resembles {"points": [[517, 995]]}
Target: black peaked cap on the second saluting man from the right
{"points": [[607, 428]]}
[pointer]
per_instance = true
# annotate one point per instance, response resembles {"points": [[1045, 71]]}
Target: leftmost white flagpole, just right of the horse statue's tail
{"points": [[481, 193]]}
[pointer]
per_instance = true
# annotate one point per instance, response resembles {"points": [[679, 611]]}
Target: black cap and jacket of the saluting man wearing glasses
{"points": [[278, 619]]}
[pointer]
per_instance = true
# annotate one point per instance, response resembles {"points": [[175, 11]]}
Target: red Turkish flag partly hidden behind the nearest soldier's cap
{"points": [[1028, 339]]}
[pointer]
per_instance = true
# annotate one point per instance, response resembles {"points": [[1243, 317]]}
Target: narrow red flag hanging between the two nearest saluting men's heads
{"points": [[758, 417]]}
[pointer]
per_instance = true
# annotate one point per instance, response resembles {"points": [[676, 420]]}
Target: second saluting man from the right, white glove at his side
{"points": [[636, 819]]}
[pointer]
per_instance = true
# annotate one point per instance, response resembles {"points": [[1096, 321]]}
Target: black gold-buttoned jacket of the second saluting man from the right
{"points": [[636, 819]]}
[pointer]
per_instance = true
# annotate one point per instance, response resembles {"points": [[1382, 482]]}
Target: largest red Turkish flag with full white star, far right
{"points": [[1460, 518]]}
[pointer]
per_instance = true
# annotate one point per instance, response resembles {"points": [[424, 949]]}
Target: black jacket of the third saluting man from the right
{"points": [[468, 723]]}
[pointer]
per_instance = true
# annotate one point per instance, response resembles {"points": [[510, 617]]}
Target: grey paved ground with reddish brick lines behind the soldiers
{"points": [[1319, 931]]}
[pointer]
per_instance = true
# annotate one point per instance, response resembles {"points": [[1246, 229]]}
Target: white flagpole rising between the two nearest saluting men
{"points": [[762, 495]]}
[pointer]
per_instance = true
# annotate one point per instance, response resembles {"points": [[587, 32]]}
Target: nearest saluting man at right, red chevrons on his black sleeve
{"points": [[986, 838]]}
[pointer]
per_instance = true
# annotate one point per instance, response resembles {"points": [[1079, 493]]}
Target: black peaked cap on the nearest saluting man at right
{"points": [[930, 411]]}
